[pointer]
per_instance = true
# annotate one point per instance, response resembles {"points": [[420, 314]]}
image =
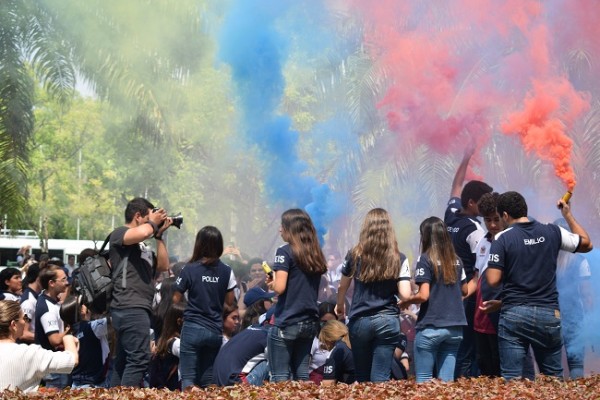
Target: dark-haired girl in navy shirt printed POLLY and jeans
{"points": [[209, 284]]}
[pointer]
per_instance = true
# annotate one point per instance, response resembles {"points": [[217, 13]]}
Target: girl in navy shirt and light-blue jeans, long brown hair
{"points": [[442, 283]]}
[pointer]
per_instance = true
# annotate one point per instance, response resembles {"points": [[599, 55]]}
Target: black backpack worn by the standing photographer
{"points": [[93, 280]]}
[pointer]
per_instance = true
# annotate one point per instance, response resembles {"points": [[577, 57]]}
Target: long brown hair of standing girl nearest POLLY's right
{"points": [[299, 231]]}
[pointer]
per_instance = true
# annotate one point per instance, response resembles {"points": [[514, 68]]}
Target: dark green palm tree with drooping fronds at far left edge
{"points": [[29, 48]]}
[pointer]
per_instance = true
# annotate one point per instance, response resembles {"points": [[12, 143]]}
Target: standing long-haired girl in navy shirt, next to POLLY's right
{"points": [[298, 267]]}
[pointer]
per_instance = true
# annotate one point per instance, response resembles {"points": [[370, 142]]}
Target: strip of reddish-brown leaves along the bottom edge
{"points": [[479, 388]]}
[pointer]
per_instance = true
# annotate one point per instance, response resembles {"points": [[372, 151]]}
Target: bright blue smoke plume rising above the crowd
{"points": [[256, 50]]}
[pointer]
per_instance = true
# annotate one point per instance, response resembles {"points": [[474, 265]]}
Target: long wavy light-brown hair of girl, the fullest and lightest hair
{"points": [[377, 248]]}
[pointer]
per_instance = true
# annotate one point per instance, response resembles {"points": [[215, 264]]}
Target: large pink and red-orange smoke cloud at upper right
{"points": [[455, 70]]}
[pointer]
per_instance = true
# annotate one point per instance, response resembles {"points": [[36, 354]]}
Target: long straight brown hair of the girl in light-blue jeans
{"points": [[437, 244]]}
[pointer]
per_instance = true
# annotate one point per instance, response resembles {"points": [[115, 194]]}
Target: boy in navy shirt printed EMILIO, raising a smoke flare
{"points": [[523, 257]]}
